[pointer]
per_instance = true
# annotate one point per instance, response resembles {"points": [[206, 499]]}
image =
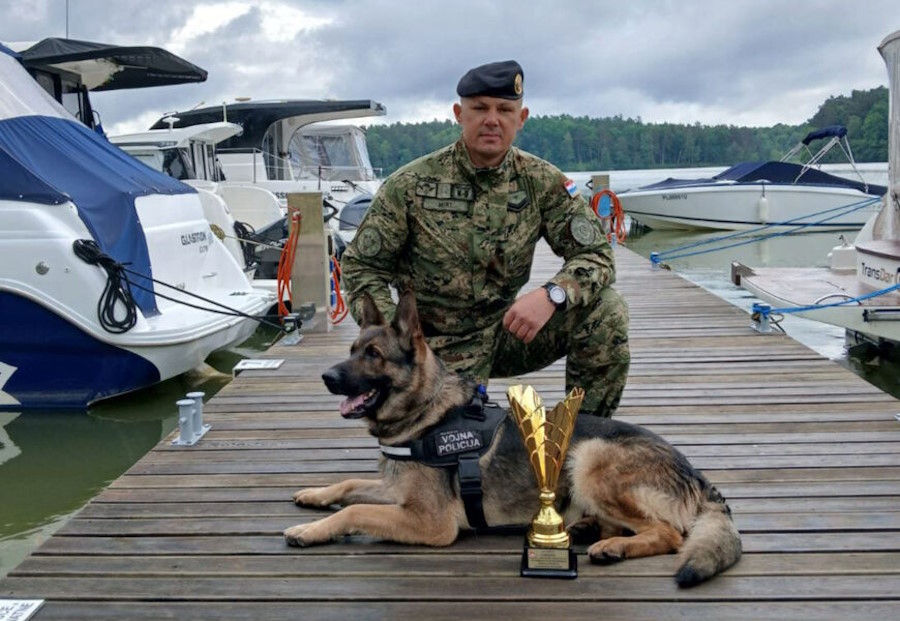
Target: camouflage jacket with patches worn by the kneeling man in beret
{"points": [[464, 239]]}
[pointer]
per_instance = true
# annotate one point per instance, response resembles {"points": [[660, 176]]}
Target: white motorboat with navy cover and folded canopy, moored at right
{"points": [[783, 195]]}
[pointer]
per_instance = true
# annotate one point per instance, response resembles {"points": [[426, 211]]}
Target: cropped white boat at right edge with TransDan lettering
{"points": [[859, 291]]}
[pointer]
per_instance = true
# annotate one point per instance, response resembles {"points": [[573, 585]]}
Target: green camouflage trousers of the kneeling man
{"points": [[593, 340]]}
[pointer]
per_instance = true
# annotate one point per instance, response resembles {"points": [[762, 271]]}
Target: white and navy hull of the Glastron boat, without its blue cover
{"points": [[54, 353]]}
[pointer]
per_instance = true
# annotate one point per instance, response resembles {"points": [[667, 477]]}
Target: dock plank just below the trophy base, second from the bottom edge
{"points": [[478, 588]]}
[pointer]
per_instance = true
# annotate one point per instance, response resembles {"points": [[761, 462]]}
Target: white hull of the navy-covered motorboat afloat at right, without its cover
{"points": [[739, 207]]}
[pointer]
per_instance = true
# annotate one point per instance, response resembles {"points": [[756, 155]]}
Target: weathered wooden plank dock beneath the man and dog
{"points": [[807, 453]]}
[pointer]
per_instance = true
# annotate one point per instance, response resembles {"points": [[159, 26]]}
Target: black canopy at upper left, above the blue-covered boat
{"points": [[105, 67]]}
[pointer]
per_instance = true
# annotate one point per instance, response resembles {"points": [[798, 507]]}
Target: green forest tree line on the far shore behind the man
{"points": [[619, 143]]}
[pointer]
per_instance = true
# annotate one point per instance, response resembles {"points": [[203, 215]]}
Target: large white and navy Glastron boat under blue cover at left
{"points": [[110, 277]]}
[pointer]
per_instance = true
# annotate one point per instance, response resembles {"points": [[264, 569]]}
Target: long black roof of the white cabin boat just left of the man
{"points": [[256, 117]]}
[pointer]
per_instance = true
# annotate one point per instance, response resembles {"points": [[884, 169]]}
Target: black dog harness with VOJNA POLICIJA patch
{"points": [[464, 435]]}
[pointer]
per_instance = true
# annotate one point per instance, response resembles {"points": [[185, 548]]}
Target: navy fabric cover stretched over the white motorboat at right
{"points": [[780, 173]]}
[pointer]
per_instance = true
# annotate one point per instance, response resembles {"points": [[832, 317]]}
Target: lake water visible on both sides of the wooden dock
{"points": [[52, 463]]}
